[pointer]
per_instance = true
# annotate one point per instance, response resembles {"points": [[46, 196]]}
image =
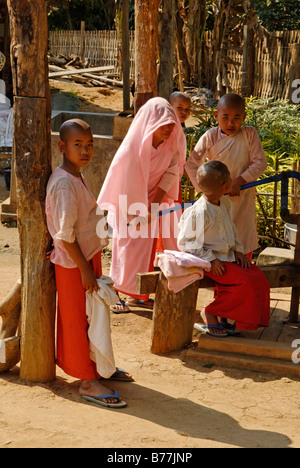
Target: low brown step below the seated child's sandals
{"points": [[243, 353]]}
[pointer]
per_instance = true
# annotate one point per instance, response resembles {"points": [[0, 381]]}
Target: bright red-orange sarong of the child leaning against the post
{"points": [[73, 355]]}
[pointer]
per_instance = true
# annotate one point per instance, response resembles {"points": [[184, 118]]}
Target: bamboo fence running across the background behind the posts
{"points": [[277, 57]]}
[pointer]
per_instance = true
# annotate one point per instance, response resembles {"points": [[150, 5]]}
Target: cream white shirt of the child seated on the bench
{"points": [[208, 231]]}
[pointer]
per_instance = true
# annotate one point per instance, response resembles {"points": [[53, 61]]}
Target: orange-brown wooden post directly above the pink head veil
{"points": [[146, 15]]}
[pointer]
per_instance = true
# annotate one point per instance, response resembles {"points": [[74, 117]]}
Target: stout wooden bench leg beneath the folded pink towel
{"points": [[173, 317]]}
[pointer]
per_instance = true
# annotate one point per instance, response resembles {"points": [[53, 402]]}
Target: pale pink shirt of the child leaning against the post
{"points": [[71, 211]]}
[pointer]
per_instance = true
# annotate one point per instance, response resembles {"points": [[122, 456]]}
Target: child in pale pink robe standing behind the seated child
{"points": [[241, 150]]}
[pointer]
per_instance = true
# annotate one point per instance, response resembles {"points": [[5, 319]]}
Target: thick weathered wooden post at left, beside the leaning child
{"points": [[31, 148]]}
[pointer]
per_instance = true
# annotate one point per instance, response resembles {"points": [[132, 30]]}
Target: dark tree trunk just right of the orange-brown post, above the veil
{"points": [[167, 48]]}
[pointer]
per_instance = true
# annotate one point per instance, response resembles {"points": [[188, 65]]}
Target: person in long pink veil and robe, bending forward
{"points": [[144, 173]]}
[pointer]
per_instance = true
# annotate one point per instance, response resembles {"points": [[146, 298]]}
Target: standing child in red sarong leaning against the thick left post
{"points": [[72, 220]]}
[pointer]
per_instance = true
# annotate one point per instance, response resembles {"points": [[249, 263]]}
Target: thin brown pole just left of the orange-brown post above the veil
{"points": [[125, 55]]}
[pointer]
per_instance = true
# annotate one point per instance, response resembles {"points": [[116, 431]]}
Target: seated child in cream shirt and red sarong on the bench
{"points": [[208, 231]]}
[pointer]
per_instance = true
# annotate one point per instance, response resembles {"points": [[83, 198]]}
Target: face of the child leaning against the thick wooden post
{"points": [[78, 149]]}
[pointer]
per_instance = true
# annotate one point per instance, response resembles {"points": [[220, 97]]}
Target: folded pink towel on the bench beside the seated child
{"points": [[181, 268]]}
